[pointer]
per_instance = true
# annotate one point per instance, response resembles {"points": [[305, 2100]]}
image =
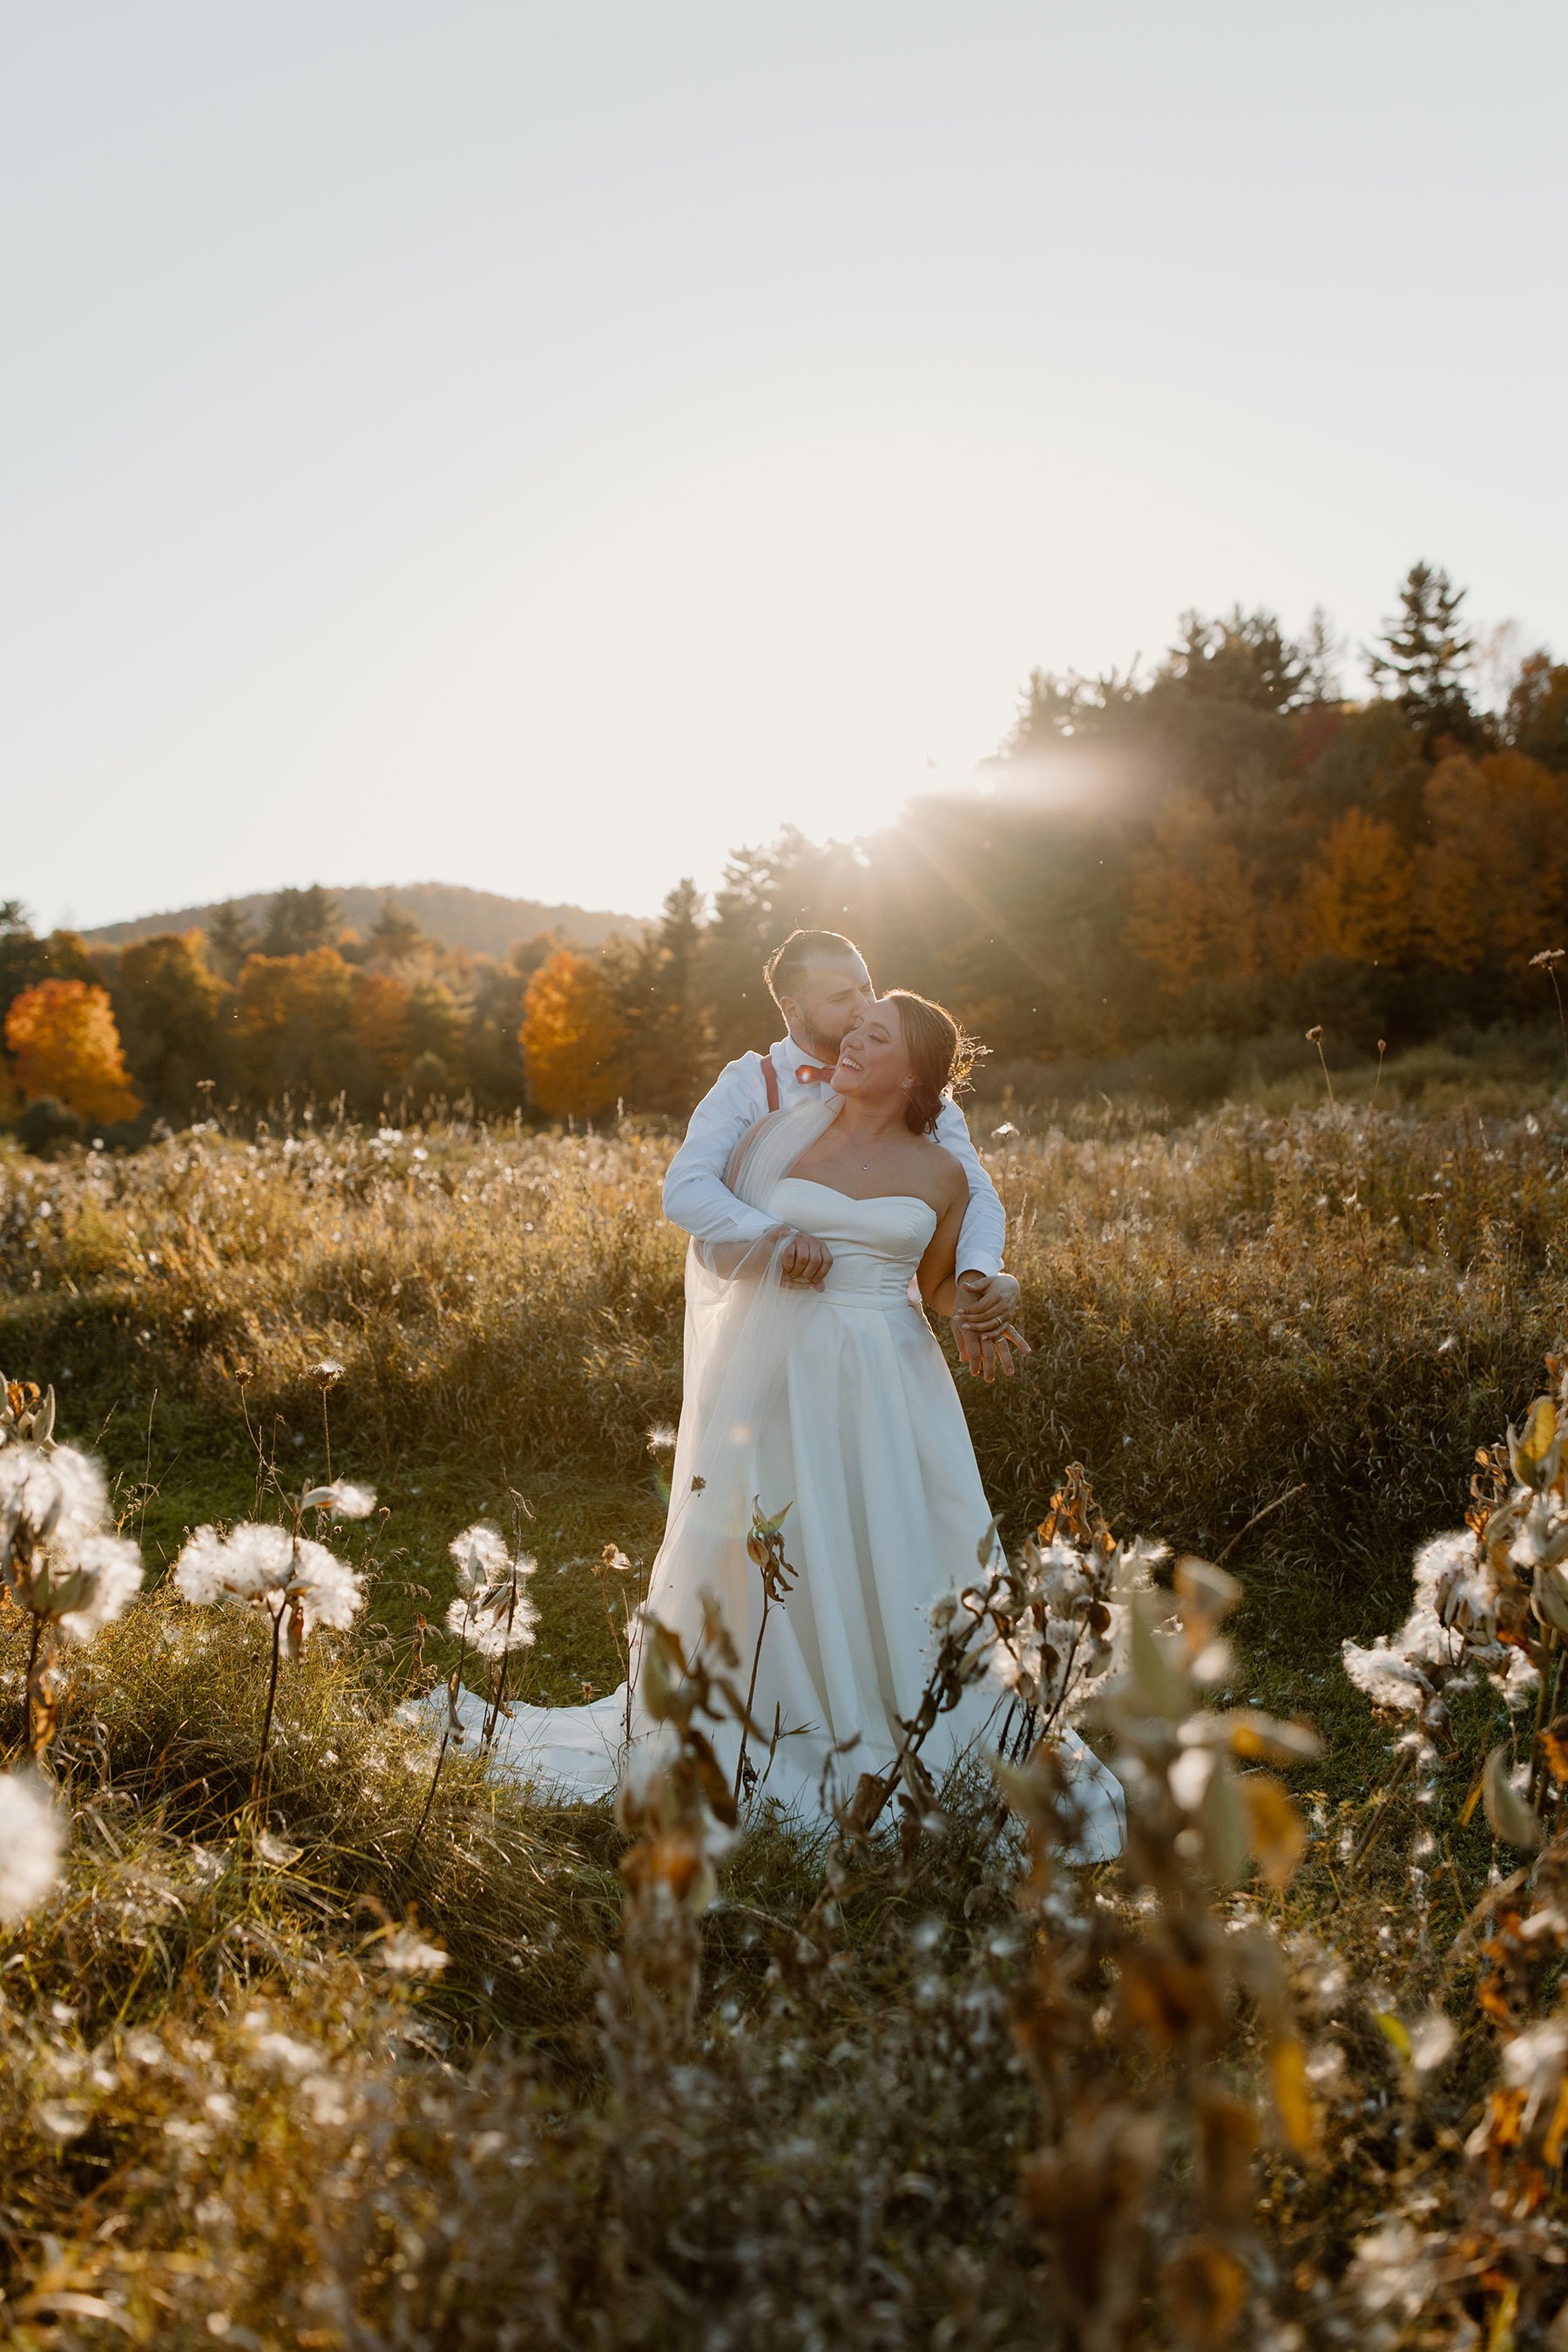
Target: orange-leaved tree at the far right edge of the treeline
{"points": [[1494, 881]]}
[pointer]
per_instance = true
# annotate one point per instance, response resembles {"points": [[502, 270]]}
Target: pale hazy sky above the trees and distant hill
{"points": [[551, 446]]}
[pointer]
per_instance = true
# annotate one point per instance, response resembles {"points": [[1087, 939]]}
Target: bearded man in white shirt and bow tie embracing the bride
{"points": [[822, 987]]}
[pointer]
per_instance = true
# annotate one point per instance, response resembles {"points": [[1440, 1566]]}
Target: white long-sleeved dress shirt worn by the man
{"points": [[702, 1203]]}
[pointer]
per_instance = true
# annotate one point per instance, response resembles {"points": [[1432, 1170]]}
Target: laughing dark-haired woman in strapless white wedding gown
{"points": [[829, 1408]]}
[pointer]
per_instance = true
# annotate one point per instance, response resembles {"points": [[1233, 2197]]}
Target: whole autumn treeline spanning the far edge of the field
{"points": [[1224, 848]]}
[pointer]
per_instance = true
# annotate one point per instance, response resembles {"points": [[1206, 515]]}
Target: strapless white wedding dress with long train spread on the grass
{"points": [[857, 1426]]}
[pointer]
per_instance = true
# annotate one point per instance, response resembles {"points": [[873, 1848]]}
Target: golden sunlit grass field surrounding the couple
{"points": [[1268, 1337]]}
